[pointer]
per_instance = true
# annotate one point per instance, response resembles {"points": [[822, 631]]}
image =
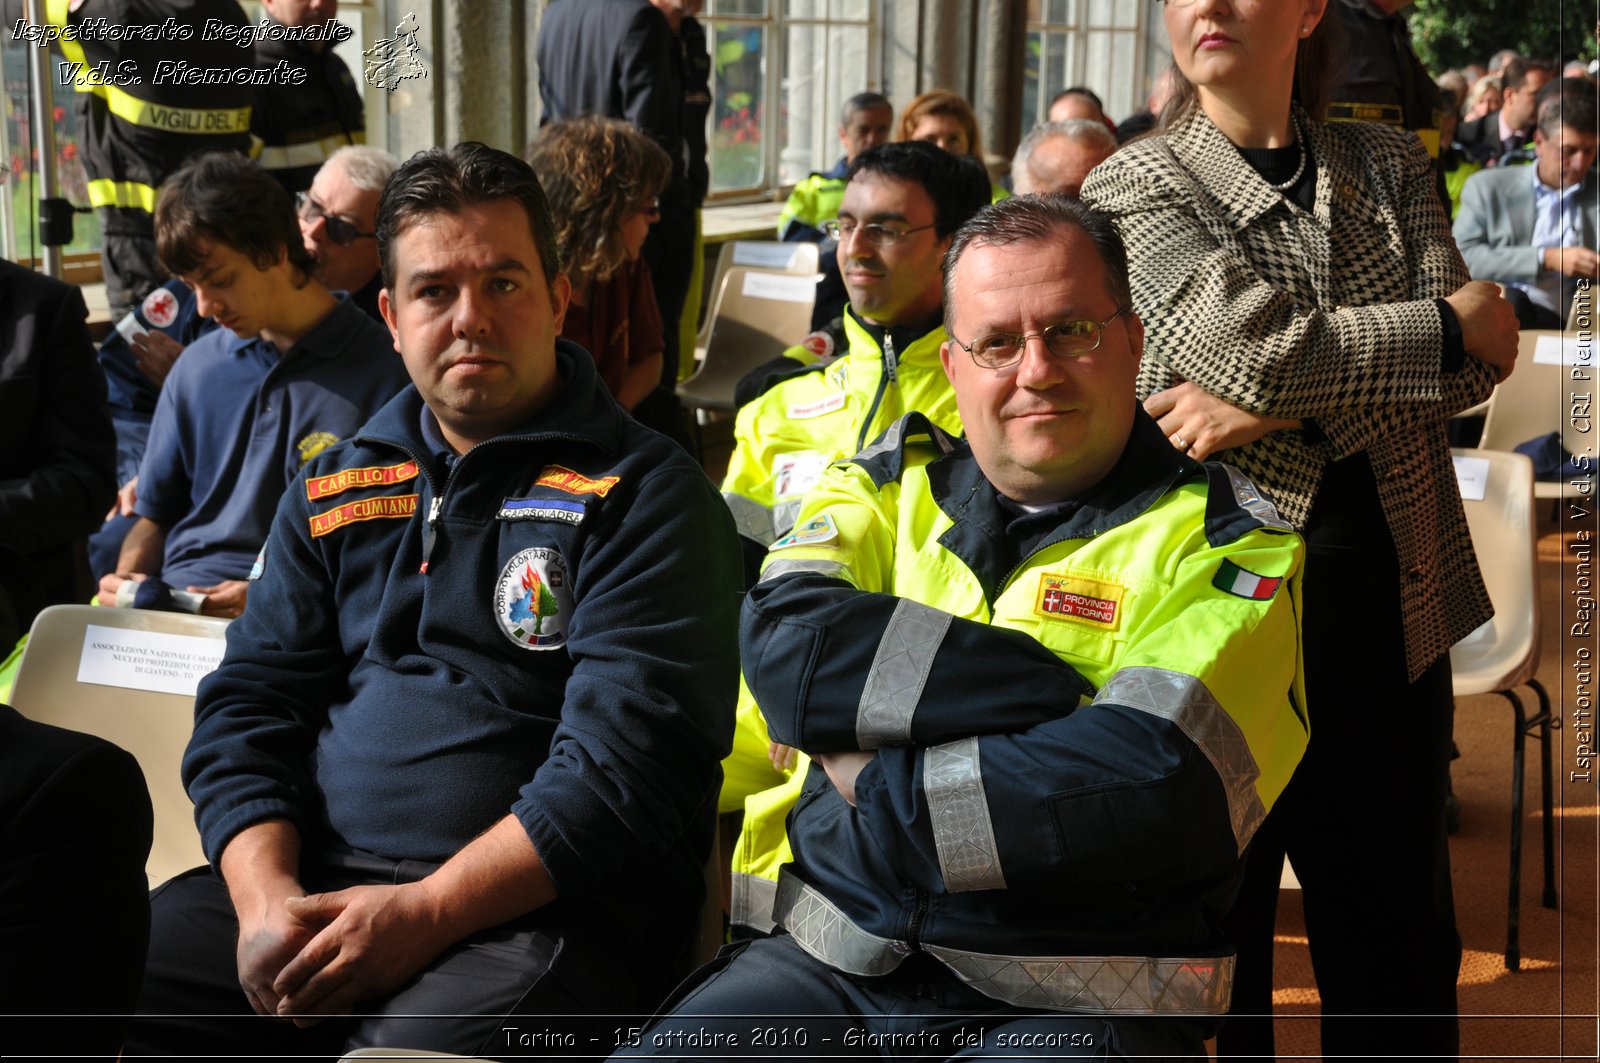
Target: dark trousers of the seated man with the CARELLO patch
{"points": [[548, 973]]}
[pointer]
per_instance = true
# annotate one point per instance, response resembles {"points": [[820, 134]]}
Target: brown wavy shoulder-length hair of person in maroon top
{"points": [[596, 174]]}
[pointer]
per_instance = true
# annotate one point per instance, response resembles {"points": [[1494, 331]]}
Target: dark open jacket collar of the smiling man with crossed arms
{"points": [[1150, 467]]}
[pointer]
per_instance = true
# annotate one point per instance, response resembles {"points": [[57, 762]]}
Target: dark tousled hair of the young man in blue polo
{"points": [[223, 198]]}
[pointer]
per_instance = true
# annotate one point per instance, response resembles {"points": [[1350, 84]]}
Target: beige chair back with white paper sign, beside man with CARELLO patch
{"points": [[82, 670]]}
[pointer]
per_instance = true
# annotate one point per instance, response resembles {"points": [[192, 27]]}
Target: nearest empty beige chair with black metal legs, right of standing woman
{"points": [[1505, 654]]}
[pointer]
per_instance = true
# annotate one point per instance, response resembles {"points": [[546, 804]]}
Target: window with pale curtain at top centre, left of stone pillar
{"points": [[782, 70]]}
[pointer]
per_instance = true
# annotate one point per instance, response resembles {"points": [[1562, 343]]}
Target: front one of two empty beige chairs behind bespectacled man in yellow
{"points": [[758, 318]]}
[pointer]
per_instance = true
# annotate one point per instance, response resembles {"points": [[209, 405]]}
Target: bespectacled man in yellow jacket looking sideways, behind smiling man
{"points": [[902, 207]]}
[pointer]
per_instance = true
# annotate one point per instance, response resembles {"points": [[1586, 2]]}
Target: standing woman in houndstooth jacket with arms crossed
{"points": [[1311, 323]]}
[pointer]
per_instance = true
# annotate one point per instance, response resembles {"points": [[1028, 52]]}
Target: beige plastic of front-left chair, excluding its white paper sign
{"points": [[153, 726]]}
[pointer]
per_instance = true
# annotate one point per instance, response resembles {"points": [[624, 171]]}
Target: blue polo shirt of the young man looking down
{"points": [[234, 425]]}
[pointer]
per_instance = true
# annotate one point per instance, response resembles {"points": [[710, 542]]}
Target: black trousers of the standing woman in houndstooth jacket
{"points": [[1364, 825]]}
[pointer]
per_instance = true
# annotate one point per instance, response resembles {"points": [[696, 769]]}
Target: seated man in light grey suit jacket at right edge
{"points": [[1534, 228]]}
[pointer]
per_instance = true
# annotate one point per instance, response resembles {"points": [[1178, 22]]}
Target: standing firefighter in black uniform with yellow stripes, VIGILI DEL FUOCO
{"points": [[158, 81]]}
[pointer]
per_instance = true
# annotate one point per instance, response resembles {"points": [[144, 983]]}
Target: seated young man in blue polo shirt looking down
{"points": [[292, 371]]}
